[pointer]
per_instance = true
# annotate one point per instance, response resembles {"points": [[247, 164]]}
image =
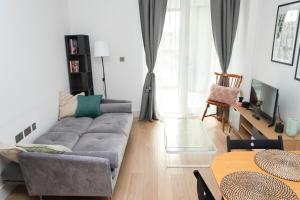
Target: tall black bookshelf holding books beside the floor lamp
{"points": [[79, 64]]}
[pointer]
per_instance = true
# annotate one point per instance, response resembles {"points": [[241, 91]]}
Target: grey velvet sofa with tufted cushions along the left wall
{"points": [[91, 169]]}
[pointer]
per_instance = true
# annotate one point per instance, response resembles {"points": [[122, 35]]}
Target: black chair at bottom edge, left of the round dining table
{"points": [[203, 191]]}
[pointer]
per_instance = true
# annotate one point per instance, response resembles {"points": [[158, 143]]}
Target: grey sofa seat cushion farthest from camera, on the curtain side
{"points": [[112, 123]]}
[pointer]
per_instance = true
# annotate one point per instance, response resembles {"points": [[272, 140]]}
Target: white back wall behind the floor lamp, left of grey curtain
{"points": [[117, 23]]}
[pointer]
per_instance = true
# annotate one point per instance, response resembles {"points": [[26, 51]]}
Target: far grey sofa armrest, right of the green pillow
{"points": [[116, 108]]}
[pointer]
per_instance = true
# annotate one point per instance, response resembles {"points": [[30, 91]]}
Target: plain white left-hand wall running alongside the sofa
{"points": [[32, 64]]}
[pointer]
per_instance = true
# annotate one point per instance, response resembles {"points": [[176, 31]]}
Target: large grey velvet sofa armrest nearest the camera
{"points": [[65, 175]]}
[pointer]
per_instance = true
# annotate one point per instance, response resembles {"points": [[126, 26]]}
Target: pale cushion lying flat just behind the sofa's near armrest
{"points": [[44, 148]]}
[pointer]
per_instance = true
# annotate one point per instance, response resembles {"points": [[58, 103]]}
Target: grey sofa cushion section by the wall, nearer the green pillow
{"points": [[72, 125]]}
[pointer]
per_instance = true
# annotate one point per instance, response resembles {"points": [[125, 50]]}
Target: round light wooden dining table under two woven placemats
{"points": [[236, 161]]}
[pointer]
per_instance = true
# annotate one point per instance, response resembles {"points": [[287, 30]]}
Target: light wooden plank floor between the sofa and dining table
{"points": [[144, 175]]}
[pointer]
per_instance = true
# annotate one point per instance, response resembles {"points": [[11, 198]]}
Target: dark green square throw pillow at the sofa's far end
{"points": [[88, 106]]}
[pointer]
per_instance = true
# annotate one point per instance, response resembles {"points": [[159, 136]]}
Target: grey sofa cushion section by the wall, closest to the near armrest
{"points": [[58, 138]]}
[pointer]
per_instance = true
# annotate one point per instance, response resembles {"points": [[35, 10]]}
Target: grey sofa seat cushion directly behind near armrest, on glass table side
{"points": [[104, 145]]}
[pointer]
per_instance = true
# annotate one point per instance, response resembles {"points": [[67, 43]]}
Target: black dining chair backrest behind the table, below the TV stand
{"points": [[254, 144]]}
